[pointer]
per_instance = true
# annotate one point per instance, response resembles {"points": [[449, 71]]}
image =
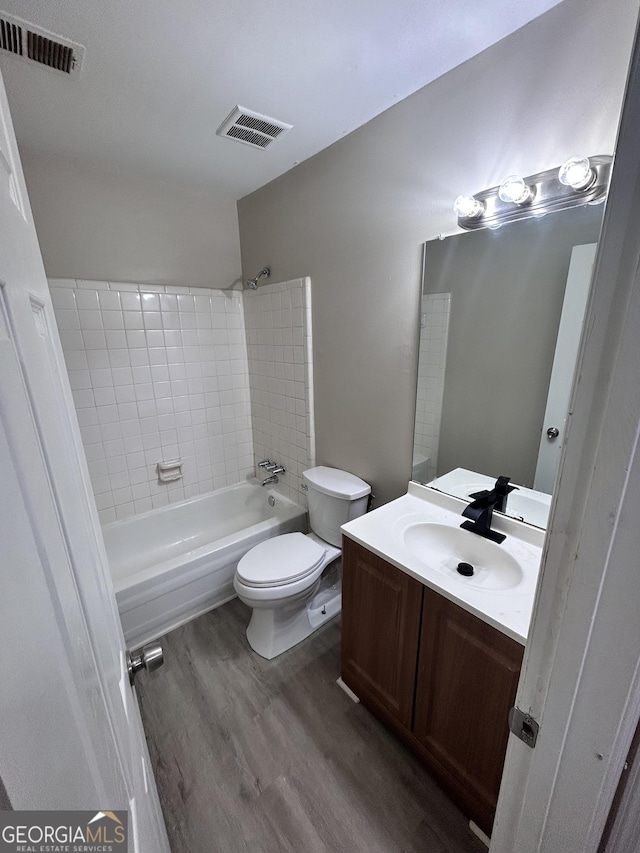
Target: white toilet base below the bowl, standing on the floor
{"points": [[273, 631]]}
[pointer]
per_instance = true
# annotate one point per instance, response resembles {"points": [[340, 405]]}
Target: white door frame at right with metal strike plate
{"points": [[581, 673]]}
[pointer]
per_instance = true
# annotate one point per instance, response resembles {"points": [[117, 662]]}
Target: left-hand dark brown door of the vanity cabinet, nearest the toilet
{"points": [[381, 609]]}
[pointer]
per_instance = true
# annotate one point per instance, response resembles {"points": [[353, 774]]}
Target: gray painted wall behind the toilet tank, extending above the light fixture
{"points": [[354, 216]]}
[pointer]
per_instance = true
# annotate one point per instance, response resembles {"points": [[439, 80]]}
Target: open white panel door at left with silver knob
{"points": [[71, 735]]}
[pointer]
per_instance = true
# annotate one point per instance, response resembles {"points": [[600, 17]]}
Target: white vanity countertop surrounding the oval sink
{"points": [[508, 610]]}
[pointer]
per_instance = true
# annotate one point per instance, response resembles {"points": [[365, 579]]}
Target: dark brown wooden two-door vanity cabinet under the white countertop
{"points": [[443, 679]]}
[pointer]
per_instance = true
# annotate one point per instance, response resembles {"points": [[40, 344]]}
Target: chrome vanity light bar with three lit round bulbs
{"points": [[580, 180]]}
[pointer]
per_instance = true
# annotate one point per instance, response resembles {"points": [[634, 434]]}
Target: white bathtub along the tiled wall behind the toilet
{"points": [[172, 564]]}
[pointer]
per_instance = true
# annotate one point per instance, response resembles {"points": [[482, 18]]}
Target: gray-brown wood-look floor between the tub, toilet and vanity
{"points": [[257, 756]]}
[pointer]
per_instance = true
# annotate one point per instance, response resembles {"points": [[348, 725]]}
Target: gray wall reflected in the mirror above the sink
{"points": [[507, 289]]}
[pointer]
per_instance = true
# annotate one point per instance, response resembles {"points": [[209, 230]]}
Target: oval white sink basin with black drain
{"points": [[442, 547]]}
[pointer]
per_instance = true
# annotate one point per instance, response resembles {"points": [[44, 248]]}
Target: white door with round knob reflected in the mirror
{"points": [[574, 305]]}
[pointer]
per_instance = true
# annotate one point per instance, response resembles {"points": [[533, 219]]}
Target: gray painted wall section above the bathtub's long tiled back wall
{"points": [[97, 224]]}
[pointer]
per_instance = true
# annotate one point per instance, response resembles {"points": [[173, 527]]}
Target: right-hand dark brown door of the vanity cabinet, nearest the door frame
{"points": [[467, 678]]}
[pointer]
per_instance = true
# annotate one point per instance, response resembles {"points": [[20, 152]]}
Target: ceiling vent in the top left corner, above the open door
{"points": [[38, 46]]}
